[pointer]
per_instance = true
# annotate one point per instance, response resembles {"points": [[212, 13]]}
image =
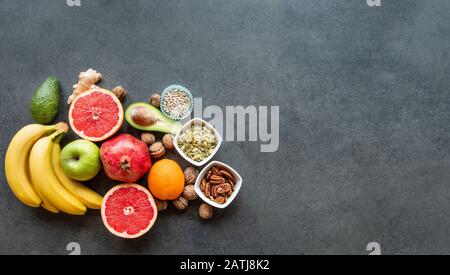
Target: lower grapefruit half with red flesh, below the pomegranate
{"points": [[129, 211]]}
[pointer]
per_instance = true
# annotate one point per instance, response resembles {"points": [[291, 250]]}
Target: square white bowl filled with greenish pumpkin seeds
{"points": [[197, 142]]}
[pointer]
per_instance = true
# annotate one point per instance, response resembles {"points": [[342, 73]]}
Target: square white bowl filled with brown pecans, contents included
{"points": [[218, 184]]}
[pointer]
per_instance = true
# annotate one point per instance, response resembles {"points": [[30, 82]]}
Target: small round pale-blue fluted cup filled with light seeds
{"points": [[176, 102]]}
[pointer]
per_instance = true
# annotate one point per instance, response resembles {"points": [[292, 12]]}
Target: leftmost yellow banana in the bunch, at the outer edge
{"points": [[16, 162]]}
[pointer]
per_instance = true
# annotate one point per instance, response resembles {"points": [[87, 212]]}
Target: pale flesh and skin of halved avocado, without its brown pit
{"points": [[163, 123]]}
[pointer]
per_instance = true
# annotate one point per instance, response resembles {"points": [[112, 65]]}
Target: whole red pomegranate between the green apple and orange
{"points": [[125, 158]]}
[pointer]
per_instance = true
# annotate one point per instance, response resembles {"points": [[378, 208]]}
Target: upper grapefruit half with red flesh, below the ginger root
{"points": [[96, 115]]}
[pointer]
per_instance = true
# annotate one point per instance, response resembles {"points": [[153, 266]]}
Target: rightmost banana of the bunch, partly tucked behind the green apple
{"points": [[87, 196]]}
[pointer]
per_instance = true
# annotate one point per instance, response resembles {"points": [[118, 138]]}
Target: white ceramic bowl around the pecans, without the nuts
{"points": [[237, 186]]}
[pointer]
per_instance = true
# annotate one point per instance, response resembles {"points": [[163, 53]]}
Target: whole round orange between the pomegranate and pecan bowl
{"points": [[166, 180]]}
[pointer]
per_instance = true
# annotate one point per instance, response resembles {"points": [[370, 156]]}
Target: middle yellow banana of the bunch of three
{"points": [[44, 177]]}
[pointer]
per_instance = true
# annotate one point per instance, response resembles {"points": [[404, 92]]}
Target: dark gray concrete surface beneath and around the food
{"points": [[364, 117]]}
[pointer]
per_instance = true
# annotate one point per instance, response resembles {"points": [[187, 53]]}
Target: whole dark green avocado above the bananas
{"points": [[45, 101]]}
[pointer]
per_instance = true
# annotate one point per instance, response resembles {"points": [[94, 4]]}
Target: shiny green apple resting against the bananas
{"points": [[80, 160]]}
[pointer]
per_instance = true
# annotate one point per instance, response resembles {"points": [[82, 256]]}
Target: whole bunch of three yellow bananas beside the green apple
{"points": [[35, 176]]}
